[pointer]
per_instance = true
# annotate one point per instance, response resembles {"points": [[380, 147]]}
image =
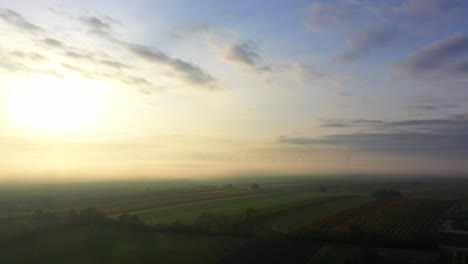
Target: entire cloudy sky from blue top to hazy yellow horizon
{"points": [[112, 89]]}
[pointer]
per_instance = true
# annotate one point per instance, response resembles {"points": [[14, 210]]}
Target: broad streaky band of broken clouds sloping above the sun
{"points": [[90, 61]]}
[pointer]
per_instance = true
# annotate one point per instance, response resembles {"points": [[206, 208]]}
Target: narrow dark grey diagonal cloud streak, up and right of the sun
{"points": [[189, 72]]}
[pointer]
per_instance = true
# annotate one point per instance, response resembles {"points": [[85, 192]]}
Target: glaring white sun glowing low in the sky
{"points": [[55, 105]]}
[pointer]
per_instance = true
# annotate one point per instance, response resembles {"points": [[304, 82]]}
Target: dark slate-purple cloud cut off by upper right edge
{"points": [[441, 55]]}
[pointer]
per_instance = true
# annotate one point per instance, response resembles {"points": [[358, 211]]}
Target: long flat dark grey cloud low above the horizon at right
{"points": [[448, 138]]}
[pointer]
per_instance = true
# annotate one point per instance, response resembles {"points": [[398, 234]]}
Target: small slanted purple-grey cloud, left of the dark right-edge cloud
{"points": [[364, 42]]}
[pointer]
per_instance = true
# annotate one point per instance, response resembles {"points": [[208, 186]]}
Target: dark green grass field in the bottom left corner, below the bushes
{"points": [[111, 245]]}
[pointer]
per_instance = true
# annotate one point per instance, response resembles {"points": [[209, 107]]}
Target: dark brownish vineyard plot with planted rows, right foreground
{"points": [[410, 221]]}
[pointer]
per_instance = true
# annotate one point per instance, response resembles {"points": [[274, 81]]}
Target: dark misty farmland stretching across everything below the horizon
{"points": [[242, 220]]}
